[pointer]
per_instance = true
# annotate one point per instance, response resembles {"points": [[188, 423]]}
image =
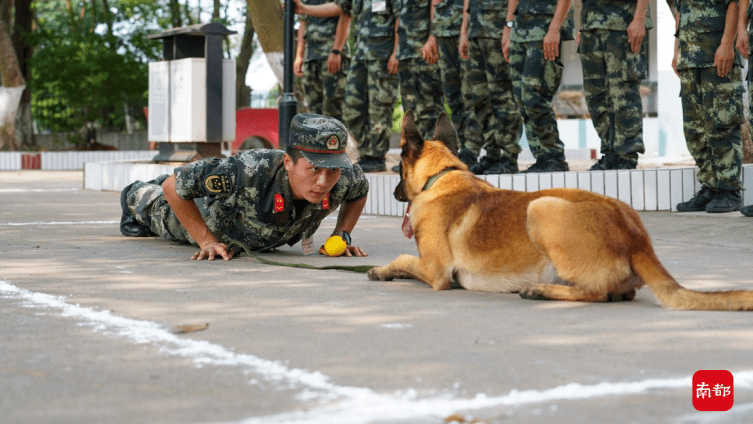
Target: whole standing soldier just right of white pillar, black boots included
{"points": [[711, 90]]}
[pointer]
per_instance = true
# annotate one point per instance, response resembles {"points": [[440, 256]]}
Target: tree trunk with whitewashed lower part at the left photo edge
{"points": [[12, 80]]}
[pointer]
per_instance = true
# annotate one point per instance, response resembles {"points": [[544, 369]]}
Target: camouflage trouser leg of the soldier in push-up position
{"points": [[147, 203]]}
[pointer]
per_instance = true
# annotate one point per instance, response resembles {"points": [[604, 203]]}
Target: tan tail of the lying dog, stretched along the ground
{"points": [[672, 295]]}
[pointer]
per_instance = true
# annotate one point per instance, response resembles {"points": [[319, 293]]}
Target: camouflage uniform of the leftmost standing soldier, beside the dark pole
{"points": [[324, 91]]}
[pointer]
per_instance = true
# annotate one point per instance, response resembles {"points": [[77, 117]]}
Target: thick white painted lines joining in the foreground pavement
{"points": [[337, 404]]}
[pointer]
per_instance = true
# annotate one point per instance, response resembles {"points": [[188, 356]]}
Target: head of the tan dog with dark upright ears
{"points": [[420, 160]]}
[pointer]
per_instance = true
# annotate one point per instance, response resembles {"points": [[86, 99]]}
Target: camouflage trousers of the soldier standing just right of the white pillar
{"points": [[712, 114]]}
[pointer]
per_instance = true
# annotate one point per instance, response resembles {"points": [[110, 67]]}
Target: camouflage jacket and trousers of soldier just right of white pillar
{"points": [[712, 105]]}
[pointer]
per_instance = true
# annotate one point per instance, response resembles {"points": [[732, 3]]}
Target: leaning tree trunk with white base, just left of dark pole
{"points": [[267, 19]]}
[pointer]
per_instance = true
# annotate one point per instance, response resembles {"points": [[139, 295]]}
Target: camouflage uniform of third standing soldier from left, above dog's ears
{"points": [[420, 84]]}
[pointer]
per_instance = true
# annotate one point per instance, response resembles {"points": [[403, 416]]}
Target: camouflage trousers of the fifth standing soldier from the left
{"points": [[507, 122]]}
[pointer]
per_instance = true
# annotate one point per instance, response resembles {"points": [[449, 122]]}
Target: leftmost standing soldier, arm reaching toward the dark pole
{"points": [[322, 57]]}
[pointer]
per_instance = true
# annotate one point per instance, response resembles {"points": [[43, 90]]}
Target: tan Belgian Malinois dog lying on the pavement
{"points": [[558, 244]]}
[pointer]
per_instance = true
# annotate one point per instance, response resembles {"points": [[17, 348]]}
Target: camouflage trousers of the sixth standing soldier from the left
{"points": [[535, 81]]}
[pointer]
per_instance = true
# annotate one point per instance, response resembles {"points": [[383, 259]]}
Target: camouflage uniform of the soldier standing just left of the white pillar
{"points": [[612, 76]]}
